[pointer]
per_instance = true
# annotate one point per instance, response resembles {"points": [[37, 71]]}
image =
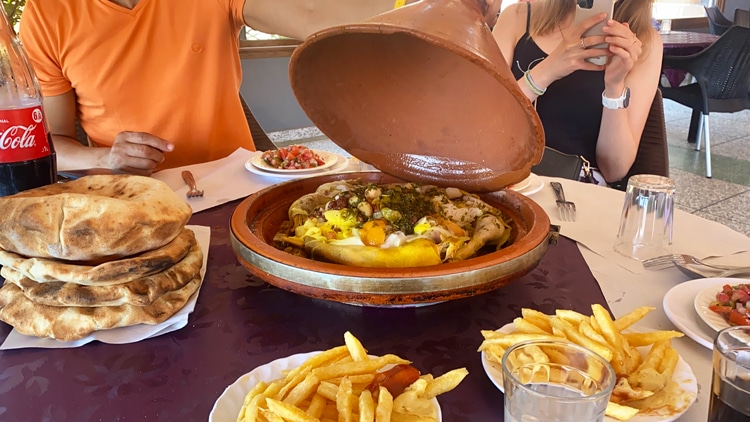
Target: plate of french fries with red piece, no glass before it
{"points": [[343, 383]]}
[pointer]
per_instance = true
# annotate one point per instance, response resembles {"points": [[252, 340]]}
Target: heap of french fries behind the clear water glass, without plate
{"points": [[641, 380]]}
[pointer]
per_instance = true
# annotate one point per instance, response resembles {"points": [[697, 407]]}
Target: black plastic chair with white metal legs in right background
{"points": [[722, 75]]}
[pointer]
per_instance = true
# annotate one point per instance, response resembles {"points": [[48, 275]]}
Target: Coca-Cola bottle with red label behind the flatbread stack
{"points": [[27, 156]]}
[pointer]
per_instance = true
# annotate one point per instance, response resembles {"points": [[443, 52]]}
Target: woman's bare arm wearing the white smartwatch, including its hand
{"points": [[620, 131]]}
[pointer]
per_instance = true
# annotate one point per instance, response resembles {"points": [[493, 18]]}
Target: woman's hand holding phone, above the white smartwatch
{"points": [[626, 48]]}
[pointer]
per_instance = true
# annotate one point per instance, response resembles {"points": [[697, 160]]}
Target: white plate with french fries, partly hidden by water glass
{"points": [[653, 382]]}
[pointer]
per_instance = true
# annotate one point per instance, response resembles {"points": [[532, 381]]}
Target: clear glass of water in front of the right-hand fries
{"points": [[555, 381]]}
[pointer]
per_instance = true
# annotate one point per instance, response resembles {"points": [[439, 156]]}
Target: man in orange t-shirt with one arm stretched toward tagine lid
{"points": [[155, 83]]}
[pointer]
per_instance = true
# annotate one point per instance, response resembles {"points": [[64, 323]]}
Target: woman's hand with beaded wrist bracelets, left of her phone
{"points": [[571, 53]]}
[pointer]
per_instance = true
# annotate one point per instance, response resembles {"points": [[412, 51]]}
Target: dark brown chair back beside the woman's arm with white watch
{"points": [[653, 153]]}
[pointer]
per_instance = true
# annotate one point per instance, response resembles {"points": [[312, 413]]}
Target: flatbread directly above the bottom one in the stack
{"points": [[141, 292]]}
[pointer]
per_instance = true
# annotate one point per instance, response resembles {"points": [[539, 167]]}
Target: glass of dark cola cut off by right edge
{"points": [[730, 384]]}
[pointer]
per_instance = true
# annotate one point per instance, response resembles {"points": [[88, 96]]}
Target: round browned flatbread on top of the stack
{"points": [[94, 217]]}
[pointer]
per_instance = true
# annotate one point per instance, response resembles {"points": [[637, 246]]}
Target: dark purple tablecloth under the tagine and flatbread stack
{"points": [[241, 322]]}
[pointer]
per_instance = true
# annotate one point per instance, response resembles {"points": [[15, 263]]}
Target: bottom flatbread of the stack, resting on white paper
{"points": [[73, 323]]}
